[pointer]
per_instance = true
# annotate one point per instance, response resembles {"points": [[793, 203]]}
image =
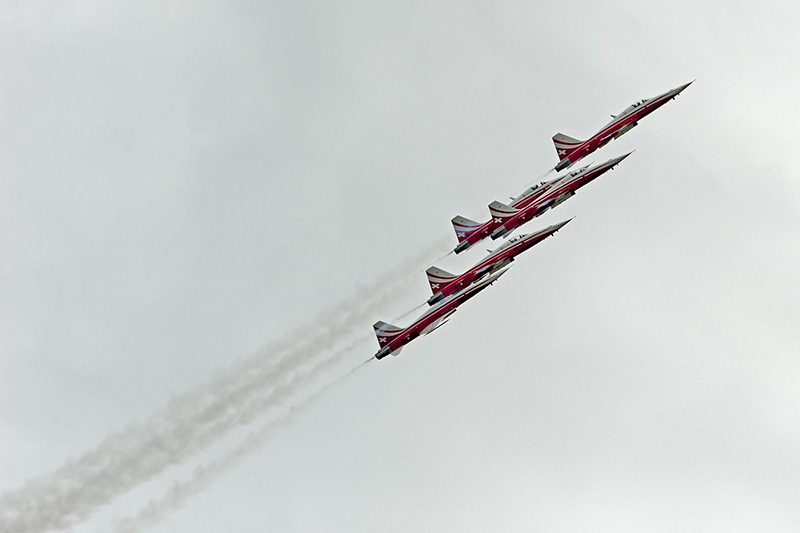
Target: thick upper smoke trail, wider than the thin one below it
{"points": [[187, 424]]}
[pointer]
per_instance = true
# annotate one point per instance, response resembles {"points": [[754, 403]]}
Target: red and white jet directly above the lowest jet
{"points": [[443, 283]]}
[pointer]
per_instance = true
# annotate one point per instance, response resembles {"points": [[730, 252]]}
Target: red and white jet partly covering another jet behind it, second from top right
{"points": [[560, 190]]}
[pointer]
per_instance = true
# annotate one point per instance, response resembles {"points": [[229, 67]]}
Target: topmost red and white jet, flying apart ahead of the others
{"points": [[572, 150]]}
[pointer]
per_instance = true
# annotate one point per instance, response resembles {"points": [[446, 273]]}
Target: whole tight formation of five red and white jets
{"points": [[451, 290]]}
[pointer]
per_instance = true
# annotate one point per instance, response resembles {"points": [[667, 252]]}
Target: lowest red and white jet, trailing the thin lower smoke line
{"points": [[392, 339]]}
